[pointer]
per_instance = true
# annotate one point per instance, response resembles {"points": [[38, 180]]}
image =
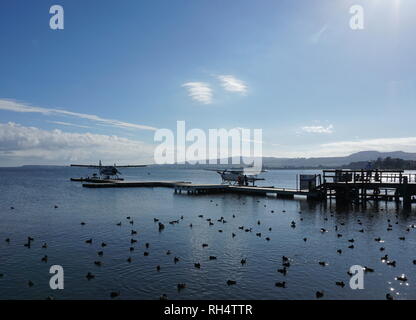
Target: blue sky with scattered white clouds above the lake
{"points": [[120, 70]]}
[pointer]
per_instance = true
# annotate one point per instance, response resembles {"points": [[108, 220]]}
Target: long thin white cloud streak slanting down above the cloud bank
{"points": [[10, 105]]}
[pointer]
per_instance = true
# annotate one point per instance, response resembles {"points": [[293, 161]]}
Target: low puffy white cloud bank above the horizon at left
{"points": [[30, 145]]}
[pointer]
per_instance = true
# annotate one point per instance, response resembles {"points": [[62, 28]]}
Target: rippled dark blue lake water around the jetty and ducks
{"points": [[34, 192]]}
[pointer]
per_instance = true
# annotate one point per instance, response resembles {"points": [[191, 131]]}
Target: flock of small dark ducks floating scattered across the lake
{"points": [[285, 261]]}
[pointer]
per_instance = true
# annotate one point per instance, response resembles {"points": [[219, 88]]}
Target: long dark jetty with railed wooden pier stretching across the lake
{"points": [[345, 186]]}
